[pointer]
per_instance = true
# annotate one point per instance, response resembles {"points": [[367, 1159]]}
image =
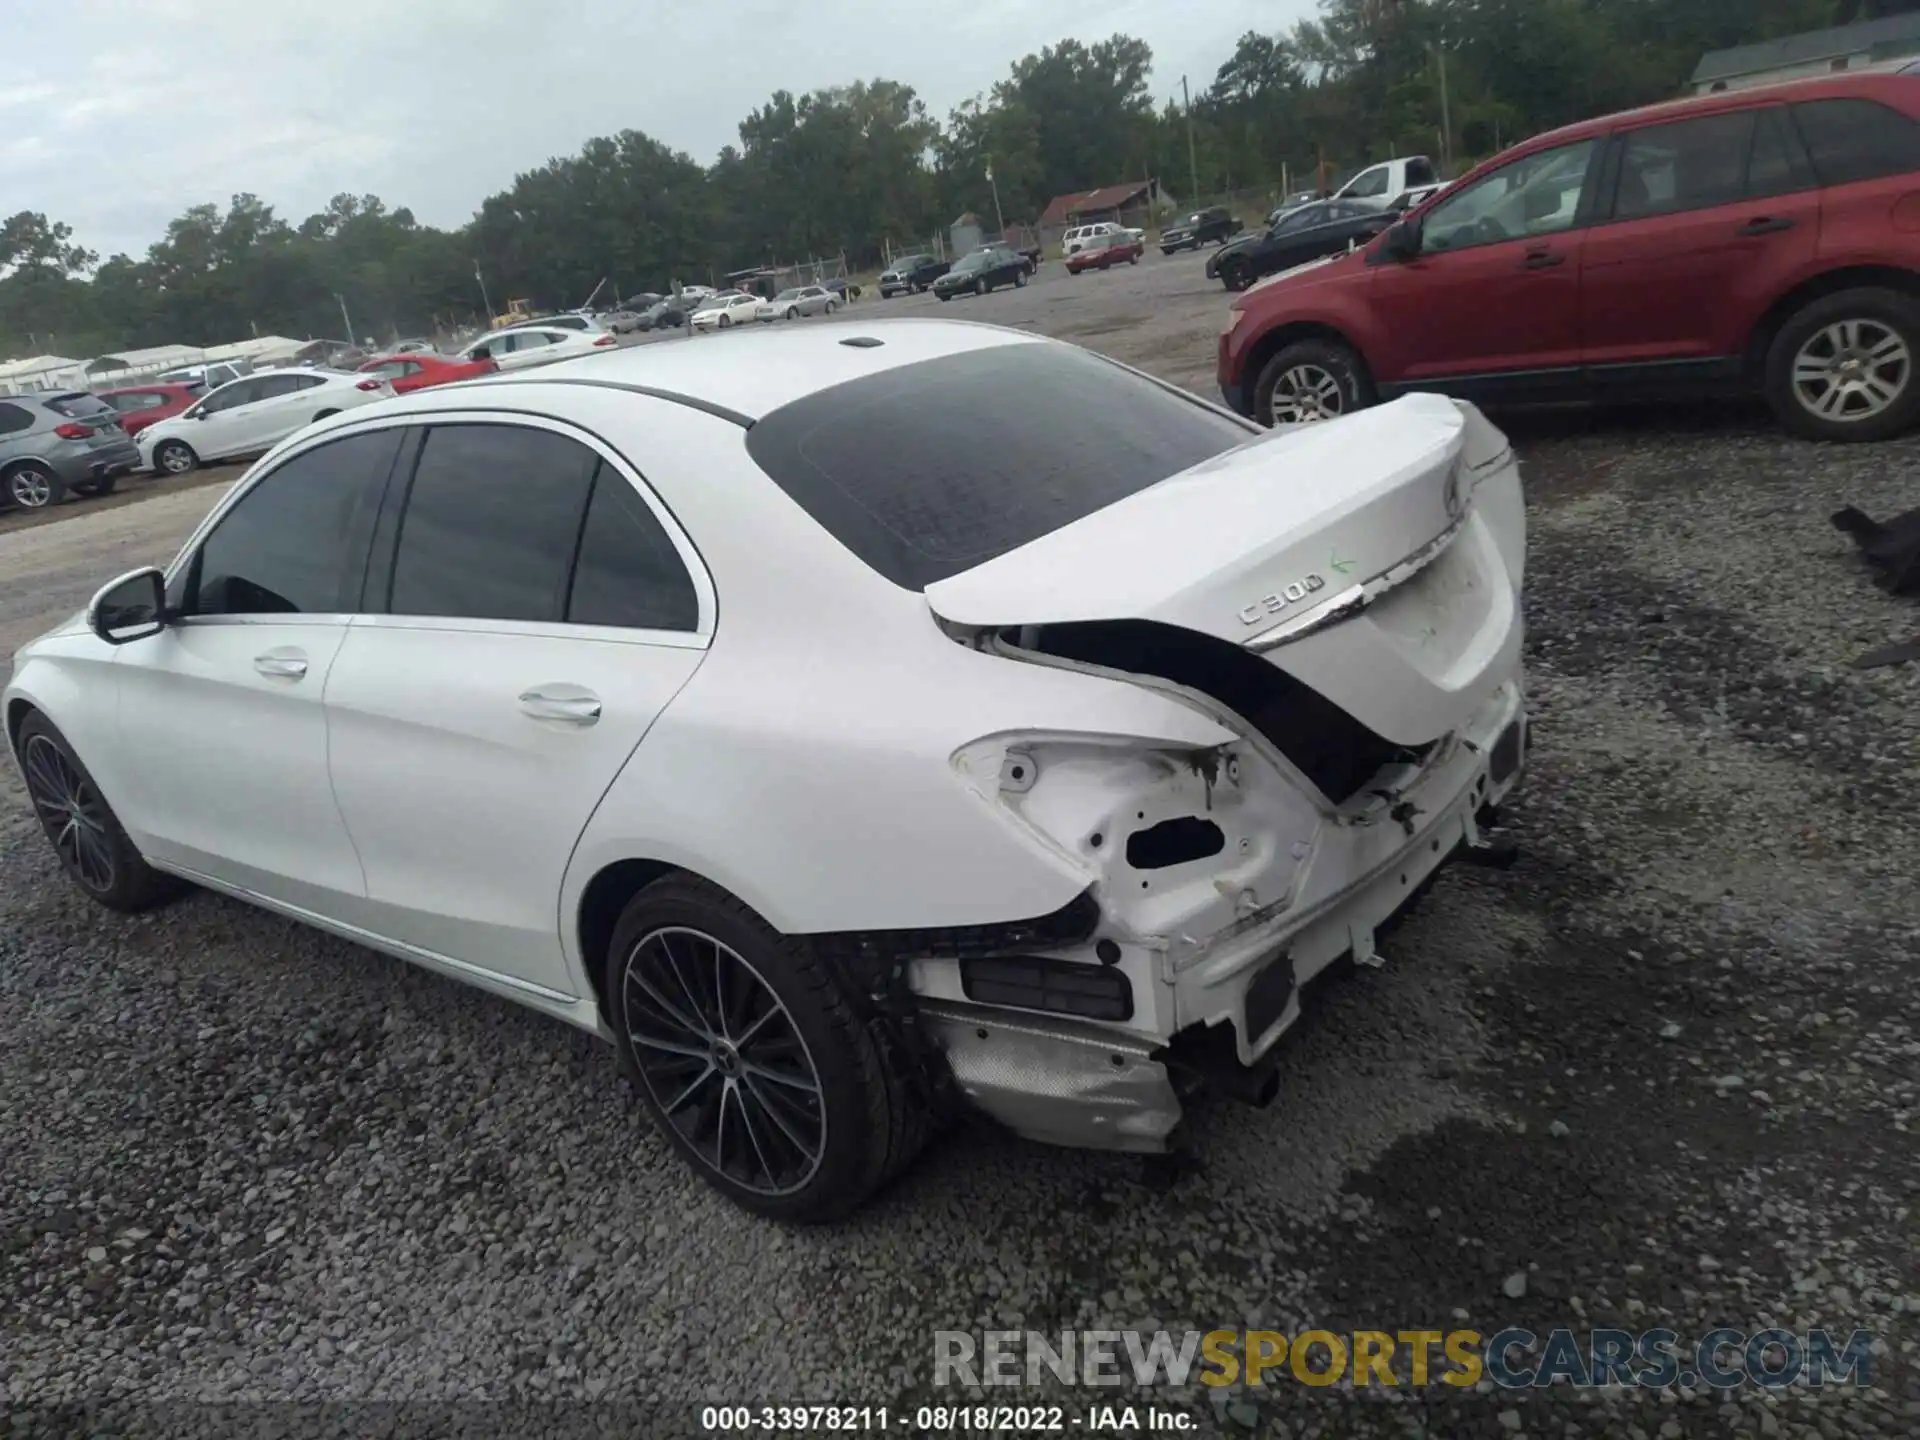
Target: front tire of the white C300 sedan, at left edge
{"points": [[82, 827]]}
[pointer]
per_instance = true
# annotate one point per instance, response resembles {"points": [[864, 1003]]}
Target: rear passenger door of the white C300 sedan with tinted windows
{"points": [[481, 719]]}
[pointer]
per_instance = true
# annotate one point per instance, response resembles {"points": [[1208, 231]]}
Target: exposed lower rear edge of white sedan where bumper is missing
{"points": [[1090, 1086]]}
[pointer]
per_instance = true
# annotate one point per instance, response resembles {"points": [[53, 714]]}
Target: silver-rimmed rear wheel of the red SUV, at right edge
{"points": [[1844, 368]]}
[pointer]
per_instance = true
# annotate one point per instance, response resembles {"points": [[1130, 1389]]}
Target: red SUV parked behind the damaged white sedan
{"points": [[1750, 241]]}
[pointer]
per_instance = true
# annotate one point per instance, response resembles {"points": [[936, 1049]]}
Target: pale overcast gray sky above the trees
{"points": [[437, 105]]}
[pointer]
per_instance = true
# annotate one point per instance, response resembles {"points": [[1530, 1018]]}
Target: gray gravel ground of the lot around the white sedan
{"points": [[1660, 1074]]}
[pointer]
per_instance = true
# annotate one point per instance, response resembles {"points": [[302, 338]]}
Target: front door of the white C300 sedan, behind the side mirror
{"points": [[220, 719]]}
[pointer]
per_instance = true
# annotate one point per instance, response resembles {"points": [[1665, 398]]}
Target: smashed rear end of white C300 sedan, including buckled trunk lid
{"points": [[1347, 604]]}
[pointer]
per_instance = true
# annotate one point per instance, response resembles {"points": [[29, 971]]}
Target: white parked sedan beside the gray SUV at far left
{"points": [[252, 416]]}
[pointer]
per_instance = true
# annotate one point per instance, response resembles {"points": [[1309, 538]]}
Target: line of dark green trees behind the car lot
{"points": [[857, 168]]}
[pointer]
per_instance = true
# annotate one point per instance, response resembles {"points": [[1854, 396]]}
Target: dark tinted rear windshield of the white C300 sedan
{"points": [[936, 468]]}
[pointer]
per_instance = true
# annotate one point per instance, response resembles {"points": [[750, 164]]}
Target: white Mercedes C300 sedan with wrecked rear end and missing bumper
{"points": [[861, 725]]}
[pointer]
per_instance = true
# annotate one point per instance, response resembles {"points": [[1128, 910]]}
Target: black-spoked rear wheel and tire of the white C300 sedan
{"points": [[708, 1005]]}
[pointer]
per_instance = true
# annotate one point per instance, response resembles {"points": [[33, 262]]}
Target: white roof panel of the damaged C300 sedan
{"points": [[750, 377]]}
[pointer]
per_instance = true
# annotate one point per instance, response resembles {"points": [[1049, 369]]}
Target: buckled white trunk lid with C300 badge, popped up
{"points": [[1358, 556]]}
